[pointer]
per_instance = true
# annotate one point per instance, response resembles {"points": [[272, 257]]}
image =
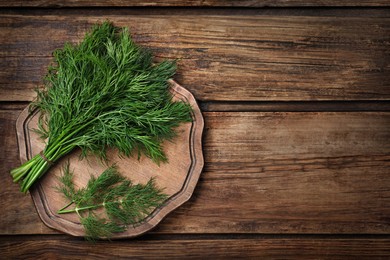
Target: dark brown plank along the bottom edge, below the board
{"points": [[271, 248]]}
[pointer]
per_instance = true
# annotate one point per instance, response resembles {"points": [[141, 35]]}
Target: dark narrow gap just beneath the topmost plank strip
{"points": [[236, 11]]}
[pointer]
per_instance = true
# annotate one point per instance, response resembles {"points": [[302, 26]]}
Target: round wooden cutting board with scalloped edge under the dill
{"points": [[178, 177]]}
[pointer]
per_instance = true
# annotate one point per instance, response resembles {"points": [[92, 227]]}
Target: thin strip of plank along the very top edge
{"points": [[189, 3]]}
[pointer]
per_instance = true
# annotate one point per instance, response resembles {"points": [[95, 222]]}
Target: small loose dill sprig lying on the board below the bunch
{"points": [[124, 203]]}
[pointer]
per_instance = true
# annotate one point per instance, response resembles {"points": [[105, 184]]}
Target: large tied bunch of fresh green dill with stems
{"points": [[104, 92]]}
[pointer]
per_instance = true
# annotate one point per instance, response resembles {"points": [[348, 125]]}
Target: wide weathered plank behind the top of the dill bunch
{"points": [[222, 57]]}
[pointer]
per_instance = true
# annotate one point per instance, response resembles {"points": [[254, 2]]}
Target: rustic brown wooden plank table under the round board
{"points": [[295, 96]]}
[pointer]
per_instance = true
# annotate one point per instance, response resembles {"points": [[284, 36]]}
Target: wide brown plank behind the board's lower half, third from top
{"points": [[265, 173]]}
